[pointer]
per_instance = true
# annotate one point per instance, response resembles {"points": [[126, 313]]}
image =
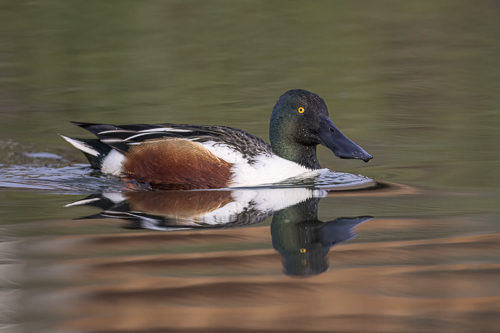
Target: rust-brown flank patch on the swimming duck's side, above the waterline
{"points": [[176, 164]]}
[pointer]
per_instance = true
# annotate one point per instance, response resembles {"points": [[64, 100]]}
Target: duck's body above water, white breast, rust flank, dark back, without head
{"points": [[175, 156]]}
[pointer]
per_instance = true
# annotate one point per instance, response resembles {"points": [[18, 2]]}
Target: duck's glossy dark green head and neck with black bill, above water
{"points": [[300, 122]]}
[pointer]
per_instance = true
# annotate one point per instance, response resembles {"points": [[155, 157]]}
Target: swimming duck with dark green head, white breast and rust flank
{"points": [[187, 157]]}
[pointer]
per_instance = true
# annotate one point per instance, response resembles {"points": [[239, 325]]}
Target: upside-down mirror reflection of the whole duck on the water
{"points": [[297, 234]]}
